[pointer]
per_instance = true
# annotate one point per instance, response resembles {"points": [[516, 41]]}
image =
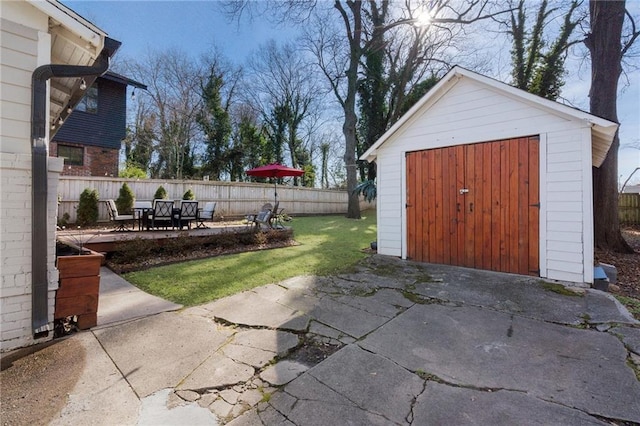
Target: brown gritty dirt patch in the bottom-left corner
{"points": [[35, 387]]}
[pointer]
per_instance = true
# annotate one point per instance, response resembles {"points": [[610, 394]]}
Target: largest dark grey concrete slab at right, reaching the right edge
{"points": [[477, 347]]}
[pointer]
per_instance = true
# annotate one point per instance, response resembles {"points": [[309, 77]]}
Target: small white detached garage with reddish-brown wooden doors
{"points": [[483, 175]]}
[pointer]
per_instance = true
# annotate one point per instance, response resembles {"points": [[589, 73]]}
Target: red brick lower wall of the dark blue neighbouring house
{"points": [[98, 161]]}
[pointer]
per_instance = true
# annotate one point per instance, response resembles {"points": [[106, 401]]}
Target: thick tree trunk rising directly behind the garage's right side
{"points": [[604, 44]]}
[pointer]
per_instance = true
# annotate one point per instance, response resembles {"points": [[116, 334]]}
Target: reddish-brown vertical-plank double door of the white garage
{"points": [[475, 205]]}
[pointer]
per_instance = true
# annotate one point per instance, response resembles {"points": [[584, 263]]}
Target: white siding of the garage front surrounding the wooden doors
{"points": [[470, 112]]}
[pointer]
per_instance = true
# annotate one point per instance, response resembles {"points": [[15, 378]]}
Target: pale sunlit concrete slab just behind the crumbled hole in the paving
{"points": [[250, 309]]}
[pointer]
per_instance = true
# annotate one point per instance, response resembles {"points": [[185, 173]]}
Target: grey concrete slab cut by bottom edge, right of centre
{"points": [[443, 404]]}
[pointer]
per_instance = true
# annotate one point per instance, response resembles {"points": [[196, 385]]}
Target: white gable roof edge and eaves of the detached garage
{"points": [[602, 131]]}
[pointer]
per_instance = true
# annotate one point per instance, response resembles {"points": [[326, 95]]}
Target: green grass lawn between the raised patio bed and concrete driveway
{"points": [[328, 244]]}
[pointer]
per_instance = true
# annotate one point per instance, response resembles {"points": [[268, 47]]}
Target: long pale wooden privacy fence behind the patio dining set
{"points": [[234, 199]]}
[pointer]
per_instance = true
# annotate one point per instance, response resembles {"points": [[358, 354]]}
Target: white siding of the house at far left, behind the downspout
{"points": [[23, 48]]}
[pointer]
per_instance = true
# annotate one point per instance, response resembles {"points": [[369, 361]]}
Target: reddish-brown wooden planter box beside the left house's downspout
{"points": [[79, 288]]}
